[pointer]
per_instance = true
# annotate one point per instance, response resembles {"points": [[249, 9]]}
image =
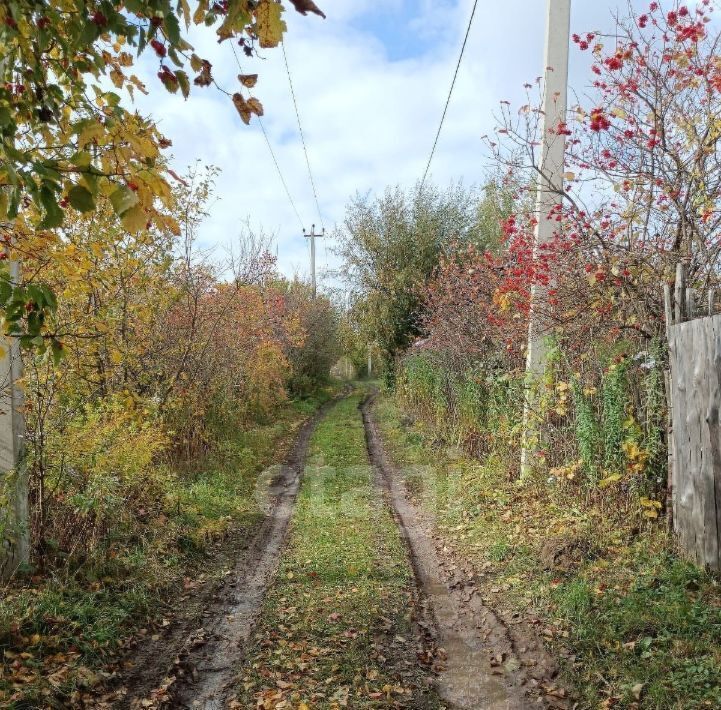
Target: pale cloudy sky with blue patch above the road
{"points": [[371, 81]]}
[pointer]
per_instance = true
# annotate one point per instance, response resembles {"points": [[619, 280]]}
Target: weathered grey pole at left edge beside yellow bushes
{"points": [[14, 523]]}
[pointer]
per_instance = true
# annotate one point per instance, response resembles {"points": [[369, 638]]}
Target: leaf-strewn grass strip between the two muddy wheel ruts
{"points": [[336, 624]]}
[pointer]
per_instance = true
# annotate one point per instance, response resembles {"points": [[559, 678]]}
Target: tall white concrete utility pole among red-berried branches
{"points": [[548, 194]]}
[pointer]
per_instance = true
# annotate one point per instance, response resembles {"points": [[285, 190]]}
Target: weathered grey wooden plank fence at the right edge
{"points": [[694, 396]]}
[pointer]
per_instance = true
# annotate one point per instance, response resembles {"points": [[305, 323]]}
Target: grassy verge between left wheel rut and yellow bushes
{"points": [[58, 629]]}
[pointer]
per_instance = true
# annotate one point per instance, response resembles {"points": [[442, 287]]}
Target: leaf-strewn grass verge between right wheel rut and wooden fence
{"points": [[641, 626]]}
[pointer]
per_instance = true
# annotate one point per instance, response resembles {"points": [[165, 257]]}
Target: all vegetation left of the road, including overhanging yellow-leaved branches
{"points": [[157, 381]]}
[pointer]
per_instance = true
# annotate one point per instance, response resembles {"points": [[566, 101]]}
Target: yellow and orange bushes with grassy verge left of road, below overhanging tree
{"points": [[175, 389]]}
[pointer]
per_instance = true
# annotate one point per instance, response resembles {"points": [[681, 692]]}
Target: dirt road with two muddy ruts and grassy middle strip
{"points": [[475, 660]]}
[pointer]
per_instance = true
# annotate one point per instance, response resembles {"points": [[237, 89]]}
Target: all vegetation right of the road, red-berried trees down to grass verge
{"points": [[579, 543]]}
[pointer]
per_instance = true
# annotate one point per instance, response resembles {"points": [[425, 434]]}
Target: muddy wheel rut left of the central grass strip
{"points": [[199, 660]]}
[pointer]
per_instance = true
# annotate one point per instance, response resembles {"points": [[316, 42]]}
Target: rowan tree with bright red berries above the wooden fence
{"points": [[643, 179]]}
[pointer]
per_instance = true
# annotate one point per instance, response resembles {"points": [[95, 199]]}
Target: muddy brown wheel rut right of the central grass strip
{"points": [[487, 664]]}
